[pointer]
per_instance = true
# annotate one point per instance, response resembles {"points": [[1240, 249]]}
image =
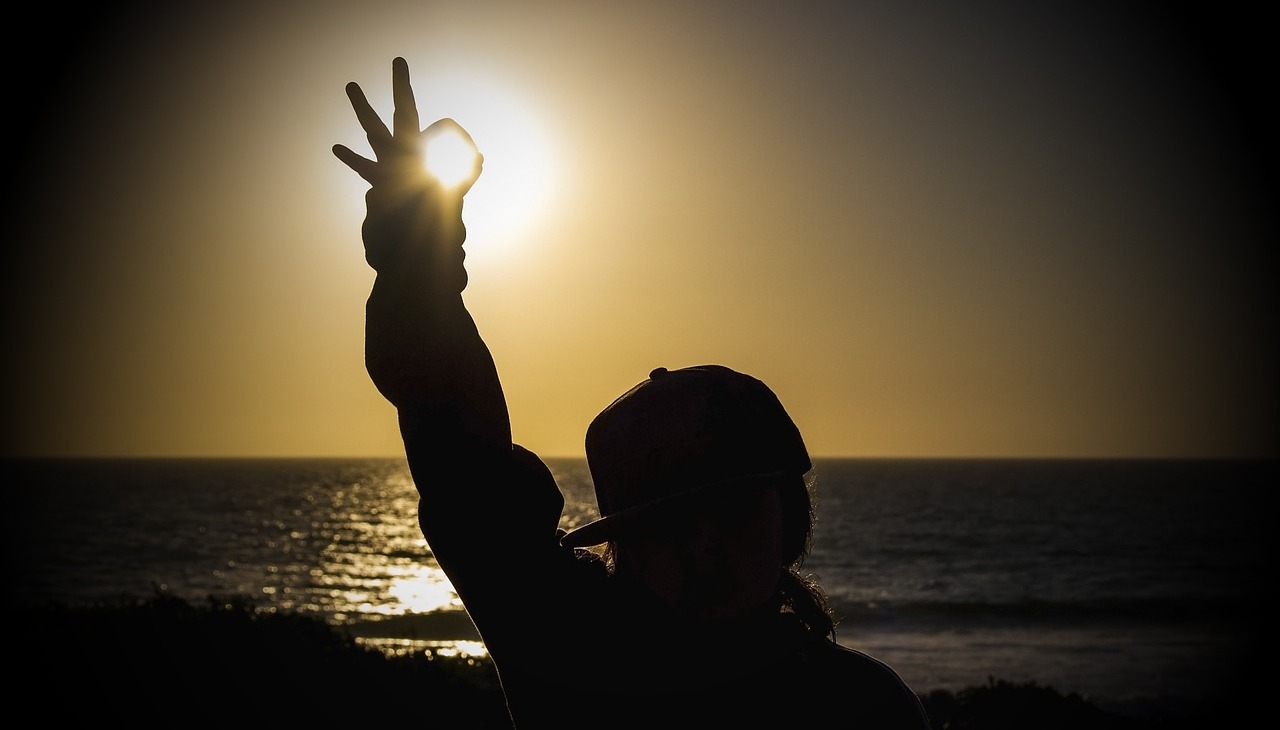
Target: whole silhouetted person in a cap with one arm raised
{"points": [[694, 612]]}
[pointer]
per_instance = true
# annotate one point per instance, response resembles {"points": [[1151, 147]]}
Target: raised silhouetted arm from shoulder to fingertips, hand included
{"points": [[490, 510]]}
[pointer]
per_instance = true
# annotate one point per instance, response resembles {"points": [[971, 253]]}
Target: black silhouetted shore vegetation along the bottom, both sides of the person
{"points": [[164, 661]]}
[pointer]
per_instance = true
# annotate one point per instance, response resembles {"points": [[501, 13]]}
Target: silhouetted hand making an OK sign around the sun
{"points": [[401, 152]]}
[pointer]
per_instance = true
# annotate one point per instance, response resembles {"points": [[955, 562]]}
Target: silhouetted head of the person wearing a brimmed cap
{"points": [[702, 483]]}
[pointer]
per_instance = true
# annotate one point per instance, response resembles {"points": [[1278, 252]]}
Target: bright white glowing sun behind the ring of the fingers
{"points": [[519, 177]]}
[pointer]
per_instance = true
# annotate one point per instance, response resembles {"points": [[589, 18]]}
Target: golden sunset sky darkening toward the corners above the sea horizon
{"points": [[934, 229]]}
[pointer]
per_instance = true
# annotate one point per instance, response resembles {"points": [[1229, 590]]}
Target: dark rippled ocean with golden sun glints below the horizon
{"points": [[1133, 583]]}
